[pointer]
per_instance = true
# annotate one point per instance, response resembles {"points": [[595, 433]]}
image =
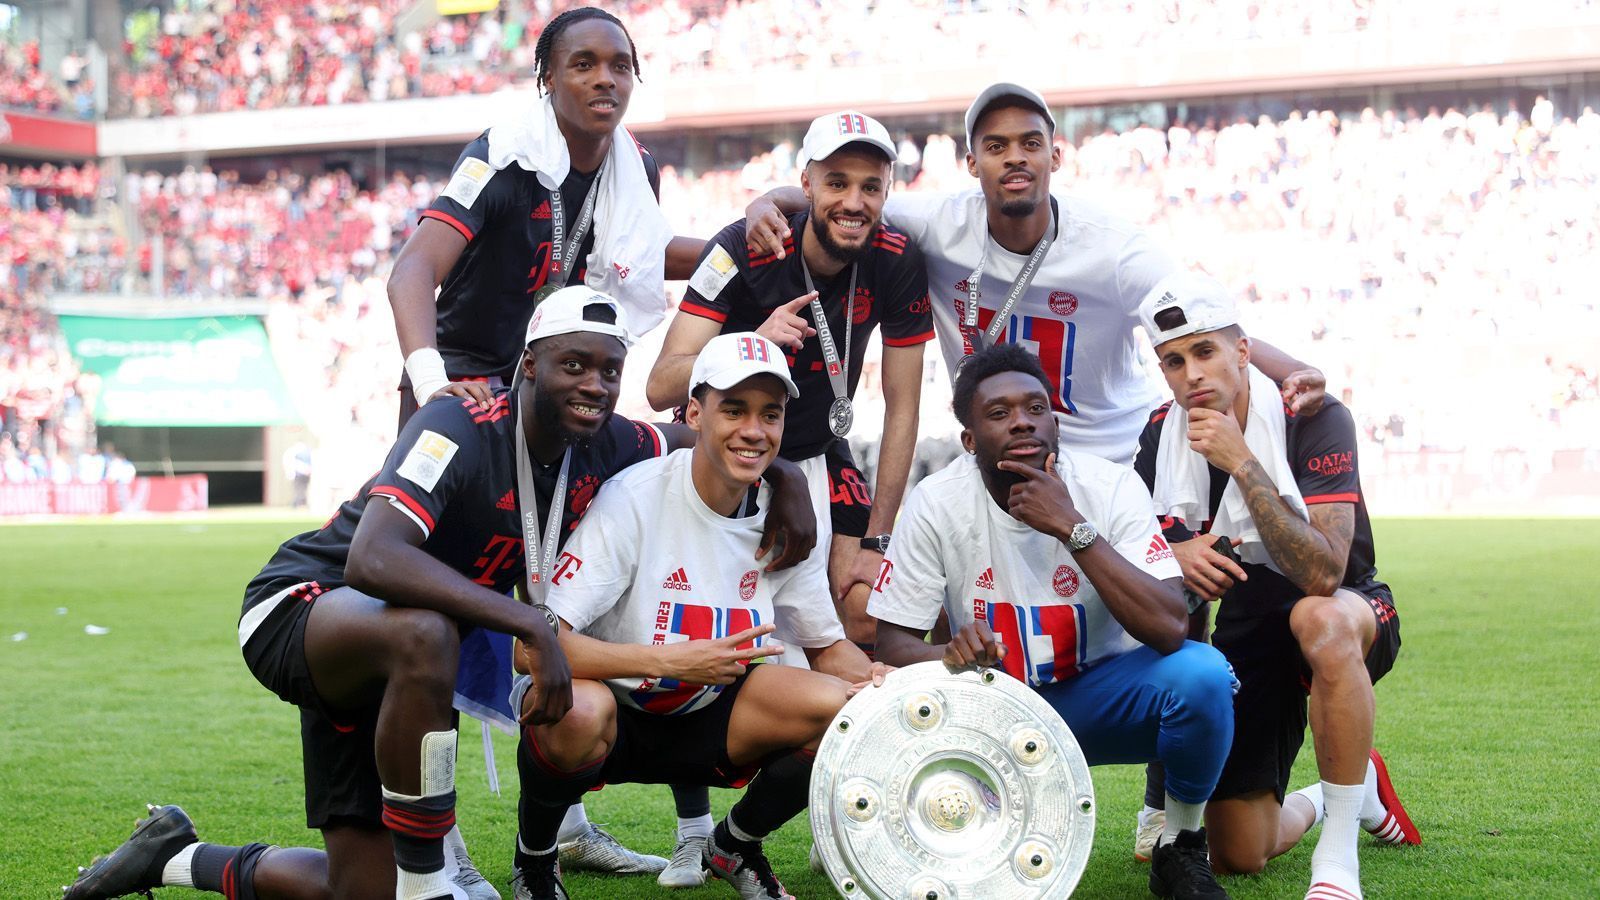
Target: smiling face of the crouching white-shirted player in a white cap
{"points": [[740, 430]]}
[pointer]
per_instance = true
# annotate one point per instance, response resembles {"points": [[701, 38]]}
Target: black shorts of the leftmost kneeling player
{"points": [[342, 773]]}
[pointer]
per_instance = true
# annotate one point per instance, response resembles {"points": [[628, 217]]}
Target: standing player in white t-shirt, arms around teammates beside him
{"points": [[1082, 305]]}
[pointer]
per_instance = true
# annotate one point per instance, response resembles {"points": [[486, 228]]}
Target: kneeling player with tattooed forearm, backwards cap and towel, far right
{"points": [[1302, 609]]}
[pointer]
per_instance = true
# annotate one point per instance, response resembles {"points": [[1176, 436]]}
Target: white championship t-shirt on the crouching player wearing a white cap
{"points": [[652, 565]]}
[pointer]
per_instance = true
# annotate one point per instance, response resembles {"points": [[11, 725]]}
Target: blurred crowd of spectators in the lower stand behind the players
{"points": [[1434, 263]]}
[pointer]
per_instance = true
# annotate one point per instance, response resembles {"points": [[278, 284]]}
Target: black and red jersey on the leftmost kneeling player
{"points": [[454, 472]]}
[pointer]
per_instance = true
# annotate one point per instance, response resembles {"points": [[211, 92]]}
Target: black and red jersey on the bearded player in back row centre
{"points": [[892, 289]]}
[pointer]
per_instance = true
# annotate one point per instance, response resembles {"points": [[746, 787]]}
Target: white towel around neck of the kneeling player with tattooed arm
{"points": [[1183, 483]]}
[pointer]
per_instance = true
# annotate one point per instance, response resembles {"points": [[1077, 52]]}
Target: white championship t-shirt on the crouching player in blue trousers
{"points": [[956, 548]]}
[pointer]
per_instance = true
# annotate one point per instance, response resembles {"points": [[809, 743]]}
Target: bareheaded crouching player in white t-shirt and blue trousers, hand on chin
{"points": [[1050, 565]]}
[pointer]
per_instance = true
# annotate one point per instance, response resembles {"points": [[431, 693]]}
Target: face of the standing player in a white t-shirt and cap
{"points": [[1012, 158]]}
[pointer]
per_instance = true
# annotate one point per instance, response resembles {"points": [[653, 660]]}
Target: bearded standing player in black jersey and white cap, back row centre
{"points": [[849, 262]]}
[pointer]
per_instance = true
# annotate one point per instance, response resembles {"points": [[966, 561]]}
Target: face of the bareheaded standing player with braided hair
{"points": [[591, 78]]}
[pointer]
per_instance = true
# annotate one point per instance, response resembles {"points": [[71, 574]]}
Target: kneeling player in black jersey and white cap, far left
{"points": [[359, 624]]}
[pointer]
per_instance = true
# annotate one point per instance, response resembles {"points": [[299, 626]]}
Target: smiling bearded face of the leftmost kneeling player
{"points": [[575, 379]]}
